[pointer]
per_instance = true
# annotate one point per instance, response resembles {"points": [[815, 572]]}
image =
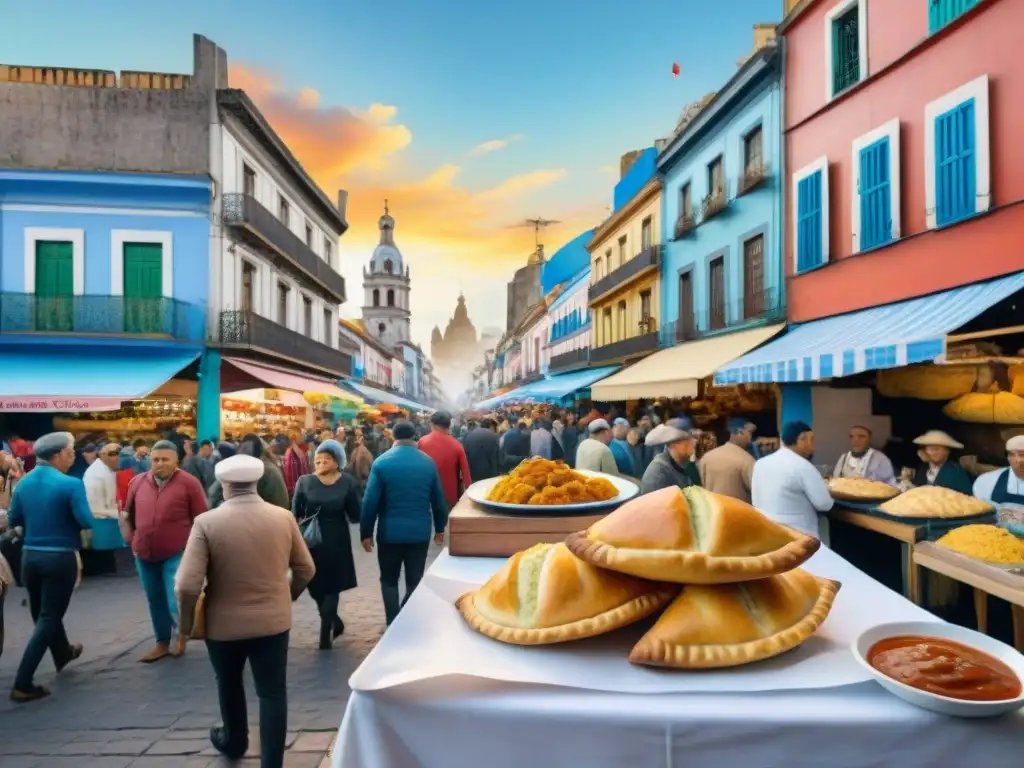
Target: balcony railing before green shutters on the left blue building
{"points": [[102, 316]]}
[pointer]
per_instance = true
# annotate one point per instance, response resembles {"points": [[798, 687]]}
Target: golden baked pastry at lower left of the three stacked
{"points": [[547, 595]]}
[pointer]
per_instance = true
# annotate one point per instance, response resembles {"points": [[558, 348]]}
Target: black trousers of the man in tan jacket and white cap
{"points": [[269, 659]]}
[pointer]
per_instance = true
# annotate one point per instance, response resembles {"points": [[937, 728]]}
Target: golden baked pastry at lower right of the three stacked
{"points": [[729, 625]]}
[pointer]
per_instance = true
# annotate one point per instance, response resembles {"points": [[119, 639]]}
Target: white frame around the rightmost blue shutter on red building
{"points": [[978, 91]]}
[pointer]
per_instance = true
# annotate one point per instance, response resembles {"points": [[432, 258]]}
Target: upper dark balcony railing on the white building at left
{"points": [[243, 212]]}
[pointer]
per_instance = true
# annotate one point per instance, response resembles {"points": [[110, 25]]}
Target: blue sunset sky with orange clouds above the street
{"points": [[468, 117]]}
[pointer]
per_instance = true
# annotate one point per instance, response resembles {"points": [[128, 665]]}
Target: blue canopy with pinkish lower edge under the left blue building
{"points": [[87, 378]]}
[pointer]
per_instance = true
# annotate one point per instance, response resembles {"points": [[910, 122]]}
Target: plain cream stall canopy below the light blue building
{"points": [[676, 372]]}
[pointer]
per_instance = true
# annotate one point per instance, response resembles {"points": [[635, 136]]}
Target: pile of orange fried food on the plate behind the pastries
{"points": [[545, 483]]}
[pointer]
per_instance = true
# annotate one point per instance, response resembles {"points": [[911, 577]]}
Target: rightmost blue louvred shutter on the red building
{"points": [[956, 163]]}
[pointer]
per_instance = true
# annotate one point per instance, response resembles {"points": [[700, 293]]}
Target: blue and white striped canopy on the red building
{"points": [[889, 336]]}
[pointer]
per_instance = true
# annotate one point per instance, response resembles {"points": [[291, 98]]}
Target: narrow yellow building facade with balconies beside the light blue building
{"points": [[625, 288]]}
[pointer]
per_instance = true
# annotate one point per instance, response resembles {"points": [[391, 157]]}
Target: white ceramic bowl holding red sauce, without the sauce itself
{"points": [[935, 703]]}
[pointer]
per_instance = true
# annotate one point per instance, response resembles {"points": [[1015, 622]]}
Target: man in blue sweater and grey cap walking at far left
{"points": [[53, 510]]}
